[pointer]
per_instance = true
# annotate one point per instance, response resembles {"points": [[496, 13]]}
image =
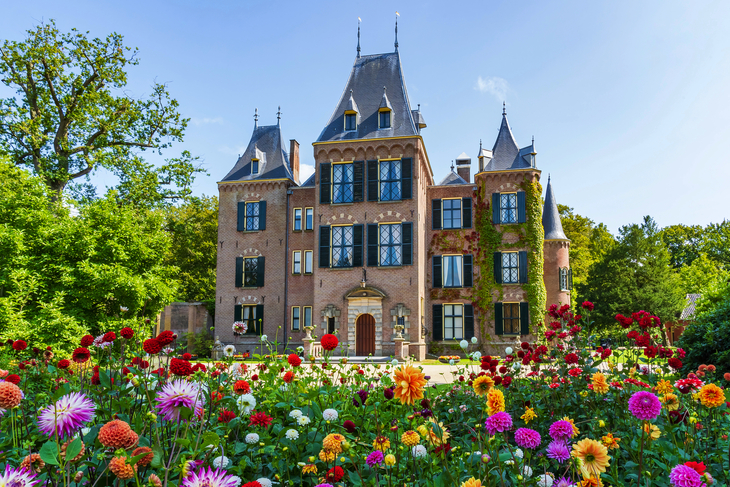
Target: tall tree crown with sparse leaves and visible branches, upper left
{"points": [[71, 115]]}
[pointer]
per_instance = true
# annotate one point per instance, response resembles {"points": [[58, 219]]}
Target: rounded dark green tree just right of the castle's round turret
{"points": [[635, 274]]}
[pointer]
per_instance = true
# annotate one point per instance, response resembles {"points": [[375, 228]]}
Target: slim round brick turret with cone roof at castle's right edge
{"points": [[558, 276]]}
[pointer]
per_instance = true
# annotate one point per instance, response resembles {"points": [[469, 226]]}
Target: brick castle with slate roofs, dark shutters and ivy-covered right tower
{"points": [[372, 248]]}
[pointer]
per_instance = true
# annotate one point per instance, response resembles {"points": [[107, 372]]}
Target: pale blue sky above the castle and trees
{"points": [[628, 101]]}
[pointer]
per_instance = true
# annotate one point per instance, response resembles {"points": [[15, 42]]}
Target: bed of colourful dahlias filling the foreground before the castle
{"points": [[123, 411]]}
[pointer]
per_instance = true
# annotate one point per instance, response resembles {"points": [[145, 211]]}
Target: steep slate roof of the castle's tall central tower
{"points": [[368, 77]]}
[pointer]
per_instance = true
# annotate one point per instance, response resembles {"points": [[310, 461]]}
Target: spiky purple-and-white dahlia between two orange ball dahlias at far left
{"points": [[67, 415]]}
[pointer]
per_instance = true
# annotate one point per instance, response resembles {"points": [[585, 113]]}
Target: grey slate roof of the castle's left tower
{"points": [[267, 145]]}
